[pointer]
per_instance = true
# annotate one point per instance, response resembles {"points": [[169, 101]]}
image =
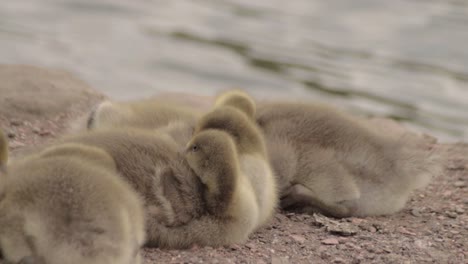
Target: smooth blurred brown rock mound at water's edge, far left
{"points": [[29, 92]]}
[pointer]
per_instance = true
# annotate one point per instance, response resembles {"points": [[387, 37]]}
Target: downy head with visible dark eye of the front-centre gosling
{"points": [[209, 151]]}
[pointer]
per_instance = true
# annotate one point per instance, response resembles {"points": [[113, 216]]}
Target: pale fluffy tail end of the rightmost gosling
{"points": [[409, 165]]}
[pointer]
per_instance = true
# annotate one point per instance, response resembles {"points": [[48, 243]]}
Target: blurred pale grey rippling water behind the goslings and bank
{"points": [[405, 59]]}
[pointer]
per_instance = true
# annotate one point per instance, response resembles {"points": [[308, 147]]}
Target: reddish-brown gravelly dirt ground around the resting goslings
{"points": [[433, 227]]}
